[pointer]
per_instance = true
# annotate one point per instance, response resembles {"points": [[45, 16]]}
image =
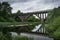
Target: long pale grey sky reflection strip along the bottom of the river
{"points": [[36, 37]]}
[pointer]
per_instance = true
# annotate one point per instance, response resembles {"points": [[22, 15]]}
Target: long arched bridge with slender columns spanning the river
{"points": [[39, 14]]}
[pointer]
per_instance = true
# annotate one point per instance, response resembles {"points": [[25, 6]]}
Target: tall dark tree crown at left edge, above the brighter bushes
{"points": [[5, 9]]}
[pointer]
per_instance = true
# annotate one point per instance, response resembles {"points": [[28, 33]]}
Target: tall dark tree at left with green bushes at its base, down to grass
{"points": [[5, 12]]}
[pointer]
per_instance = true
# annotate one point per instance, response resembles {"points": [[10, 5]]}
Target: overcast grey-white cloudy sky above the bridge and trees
{"points": [[32, 5]]}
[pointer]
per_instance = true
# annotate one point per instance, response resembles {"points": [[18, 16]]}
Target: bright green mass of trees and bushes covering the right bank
{"points": [[53, 26]]}
